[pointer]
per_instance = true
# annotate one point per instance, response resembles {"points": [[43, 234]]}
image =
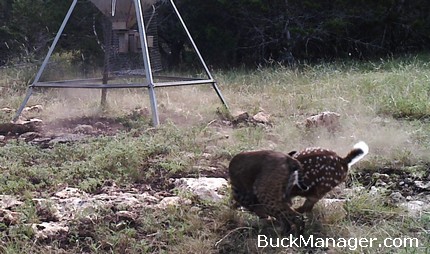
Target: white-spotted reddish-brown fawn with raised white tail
{"points": [[322, 170]]}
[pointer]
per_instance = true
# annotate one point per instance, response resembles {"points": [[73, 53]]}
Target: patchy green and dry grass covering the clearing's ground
{"points": [[385, 103]]}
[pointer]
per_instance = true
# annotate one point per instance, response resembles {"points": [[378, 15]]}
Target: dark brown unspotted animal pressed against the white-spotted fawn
{"points": [[261, 182]]}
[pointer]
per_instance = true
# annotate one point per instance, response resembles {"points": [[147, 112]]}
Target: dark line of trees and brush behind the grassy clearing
{"points": [[236, 32]]}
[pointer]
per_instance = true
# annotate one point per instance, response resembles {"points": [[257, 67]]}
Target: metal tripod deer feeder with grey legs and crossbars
{"points": [[122, 16]]}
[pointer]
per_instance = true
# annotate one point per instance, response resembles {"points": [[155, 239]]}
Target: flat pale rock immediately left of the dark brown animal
{"points": [[206, 188]]}
